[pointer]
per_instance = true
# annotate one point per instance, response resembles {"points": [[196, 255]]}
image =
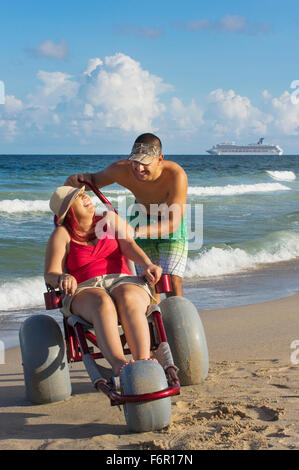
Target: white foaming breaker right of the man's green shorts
{"points": [[282, 246]]}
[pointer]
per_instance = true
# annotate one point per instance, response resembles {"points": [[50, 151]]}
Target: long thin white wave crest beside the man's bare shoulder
{"points": [[231, 190]]}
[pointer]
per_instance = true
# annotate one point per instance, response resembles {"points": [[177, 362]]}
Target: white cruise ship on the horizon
{"points": [[231, 148]]}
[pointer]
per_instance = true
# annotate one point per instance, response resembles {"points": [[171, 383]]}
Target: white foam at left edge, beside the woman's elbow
{"points": [[22, 293]]}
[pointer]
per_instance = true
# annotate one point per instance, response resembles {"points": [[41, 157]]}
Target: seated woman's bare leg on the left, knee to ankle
{"points": [[97, 307]]}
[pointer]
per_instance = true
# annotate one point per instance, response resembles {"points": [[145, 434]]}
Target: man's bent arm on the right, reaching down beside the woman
{"points": [[172, 211]]}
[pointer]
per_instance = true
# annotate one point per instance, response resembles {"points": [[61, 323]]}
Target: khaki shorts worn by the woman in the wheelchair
{"points": [[108, 282]]}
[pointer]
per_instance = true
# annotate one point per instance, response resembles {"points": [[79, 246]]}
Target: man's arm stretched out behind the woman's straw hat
{"points": [[100, 179]]}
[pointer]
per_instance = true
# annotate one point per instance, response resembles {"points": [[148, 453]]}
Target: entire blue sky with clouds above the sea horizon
{"points": [[88, 77]]}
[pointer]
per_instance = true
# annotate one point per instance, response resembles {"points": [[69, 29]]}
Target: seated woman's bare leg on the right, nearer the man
{"points": [[131, 303]]}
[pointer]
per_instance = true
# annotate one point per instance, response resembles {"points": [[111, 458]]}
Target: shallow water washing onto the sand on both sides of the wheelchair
{"points": [[239, 290]]}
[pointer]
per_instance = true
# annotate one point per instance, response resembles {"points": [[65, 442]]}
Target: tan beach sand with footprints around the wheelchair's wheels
{"points": [[250, 399]]}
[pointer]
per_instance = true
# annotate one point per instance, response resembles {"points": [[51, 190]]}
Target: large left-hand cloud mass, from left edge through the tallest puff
{"points": [[116, 93]]}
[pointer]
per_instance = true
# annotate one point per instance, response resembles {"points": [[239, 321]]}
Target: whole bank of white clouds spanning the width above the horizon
{"points": [[117, 97]]}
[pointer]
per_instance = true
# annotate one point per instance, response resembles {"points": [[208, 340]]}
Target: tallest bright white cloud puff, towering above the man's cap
{"points": [[126, 95]]}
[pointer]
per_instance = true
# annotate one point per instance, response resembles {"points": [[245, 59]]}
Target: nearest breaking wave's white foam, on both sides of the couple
{"points": [[276, 247]]}
